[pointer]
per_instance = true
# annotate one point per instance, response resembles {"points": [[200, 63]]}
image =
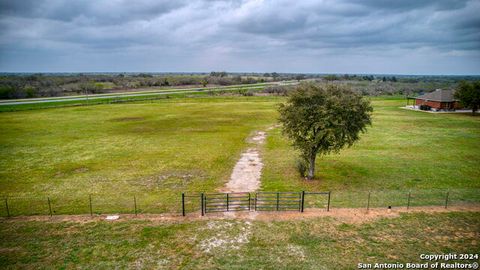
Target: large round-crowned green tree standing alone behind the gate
{"points": [[321, 119]]}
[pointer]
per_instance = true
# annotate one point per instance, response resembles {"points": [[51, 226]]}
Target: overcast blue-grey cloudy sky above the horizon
{"points": [[343, 36]]}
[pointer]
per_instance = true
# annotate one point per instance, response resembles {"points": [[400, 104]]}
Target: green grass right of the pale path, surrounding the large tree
{"points": [[402, 151]]}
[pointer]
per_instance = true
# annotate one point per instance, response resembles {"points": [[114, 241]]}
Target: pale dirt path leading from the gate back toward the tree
{"points": [[248, 170]]}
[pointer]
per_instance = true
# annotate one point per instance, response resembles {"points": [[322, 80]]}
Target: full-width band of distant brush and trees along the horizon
{"points": [[52, 84]]}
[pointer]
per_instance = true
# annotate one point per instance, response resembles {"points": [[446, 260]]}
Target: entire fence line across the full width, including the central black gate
{"points": [[205, 203]]}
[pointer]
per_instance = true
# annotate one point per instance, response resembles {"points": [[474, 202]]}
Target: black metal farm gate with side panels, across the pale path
{"points": [[244, 201]]}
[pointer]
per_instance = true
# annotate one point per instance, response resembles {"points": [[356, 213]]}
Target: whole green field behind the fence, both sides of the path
{"points": [[156, 150]]}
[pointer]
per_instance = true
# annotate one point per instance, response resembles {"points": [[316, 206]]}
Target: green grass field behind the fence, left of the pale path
{"points": [[153, 150]]}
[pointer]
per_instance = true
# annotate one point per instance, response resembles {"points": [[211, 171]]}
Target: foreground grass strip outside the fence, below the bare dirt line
{"points": [[320, 243]]}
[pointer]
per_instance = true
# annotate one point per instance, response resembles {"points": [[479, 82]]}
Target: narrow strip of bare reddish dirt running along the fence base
{"points": [[349, 215]]}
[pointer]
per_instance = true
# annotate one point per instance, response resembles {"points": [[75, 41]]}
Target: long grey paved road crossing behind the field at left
{"points": [[137, 94]]}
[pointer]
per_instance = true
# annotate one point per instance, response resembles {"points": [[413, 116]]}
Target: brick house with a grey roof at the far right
{"points": [[438, 100]]}
